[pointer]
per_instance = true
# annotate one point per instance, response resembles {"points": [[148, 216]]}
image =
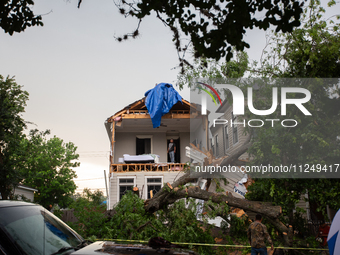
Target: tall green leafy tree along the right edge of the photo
{"points": [[308, 52]]}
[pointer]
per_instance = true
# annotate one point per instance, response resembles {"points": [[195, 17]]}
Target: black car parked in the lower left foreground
{"points": [[30, 229]]}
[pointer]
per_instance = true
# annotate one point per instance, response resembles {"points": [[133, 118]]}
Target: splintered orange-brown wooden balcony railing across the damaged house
{"points": [[118, 168]]}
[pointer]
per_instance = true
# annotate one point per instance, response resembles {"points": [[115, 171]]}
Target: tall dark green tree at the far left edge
{"points": [[12, 104]]}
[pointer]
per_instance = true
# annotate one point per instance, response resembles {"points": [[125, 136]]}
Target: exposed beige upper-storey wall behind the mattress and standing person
{"points": [[126, 144]]}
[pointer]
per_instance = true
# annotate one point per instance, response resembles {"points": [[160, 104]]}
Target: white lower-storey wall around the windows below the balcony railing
{"points": [[140, 182]]}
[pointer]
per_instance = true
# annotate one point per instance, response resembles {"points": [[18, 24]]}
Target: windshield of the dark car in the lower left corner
{"points": [[36, 230]]}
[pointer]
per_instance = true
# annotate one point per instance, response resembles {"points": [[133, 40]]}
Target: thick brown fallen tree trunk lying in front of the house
{"points": [[177, 190]]}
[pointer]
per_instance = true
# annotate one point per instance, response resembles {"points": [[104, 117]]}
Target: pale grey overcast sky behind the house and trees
{"points": [[77, 74]]}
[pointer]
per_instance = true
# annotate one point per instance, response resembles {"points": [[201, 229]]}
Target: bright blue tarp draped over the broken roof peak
{"points": [[160, 100]]}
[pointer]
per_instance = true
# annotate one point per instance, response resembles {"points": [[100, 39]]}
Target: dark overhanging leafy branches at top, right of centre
{"points": [[214, 27]]}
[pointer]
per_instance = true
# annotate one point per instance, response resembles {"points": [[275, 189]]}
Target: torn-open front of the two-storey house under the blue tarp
{"points": [[139, 155]]}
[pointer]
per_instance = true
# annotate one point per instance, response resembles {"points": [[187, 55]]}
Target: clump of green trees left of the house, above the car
{"points": [[41, 163]]}
